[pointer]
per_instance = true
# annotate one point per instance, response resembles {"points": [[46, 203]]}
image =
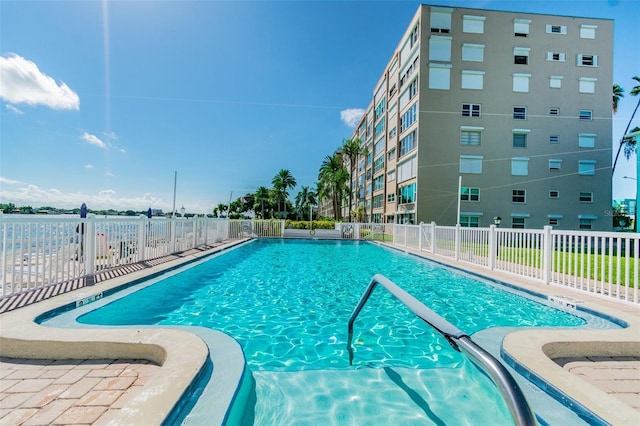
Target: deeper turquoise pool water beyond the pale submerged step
{"points": [[288, 304]]}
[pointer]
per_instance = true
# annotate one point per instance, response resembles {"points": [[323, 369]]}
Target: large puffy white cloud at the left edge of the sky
{"points": [[21, 82]]}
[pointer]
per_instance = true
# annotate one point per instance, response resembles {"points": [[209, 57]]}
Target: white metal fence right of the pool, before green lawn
{"points": [[601, 263]]}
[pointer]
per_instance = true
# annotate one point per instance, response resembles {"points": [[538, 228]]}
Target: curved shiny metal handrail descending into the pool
{"points": [[511, 392]]}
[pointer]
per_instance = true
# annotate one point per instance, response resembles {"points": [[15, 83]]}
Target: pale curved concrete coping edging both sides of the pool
{"points": [[183, 355]]}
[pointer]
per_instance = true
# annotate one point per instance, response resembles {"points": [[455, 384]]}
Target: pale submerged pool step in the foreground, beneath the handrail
{"points": [[376, 396]]}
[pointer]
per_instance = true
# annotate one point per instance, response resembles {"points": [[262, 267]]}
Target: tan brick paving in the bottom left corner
{"points": [[67, 392]]}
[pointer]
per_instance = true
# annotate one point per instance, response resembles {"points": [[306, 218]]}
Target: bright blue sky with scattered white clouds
{"points": [[105, 102]]}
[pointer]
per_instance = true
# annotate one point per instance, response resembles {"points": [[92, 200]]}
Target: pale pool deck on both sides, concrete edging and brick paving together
{"points": [[600, 369]]}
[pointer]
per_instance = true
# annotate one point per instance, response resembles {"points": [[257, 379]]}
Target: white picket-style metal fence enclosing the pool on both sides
{"points": [[38, 251]]}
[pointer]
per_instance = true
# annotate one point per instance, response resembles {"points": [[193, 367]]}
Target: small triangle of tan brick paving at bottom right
{"points": [[619, 377]]}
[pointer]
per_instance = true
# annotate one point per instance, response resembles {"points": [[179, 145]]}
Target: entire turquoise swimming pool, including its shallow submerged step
{"points": [[288, 302]]}
